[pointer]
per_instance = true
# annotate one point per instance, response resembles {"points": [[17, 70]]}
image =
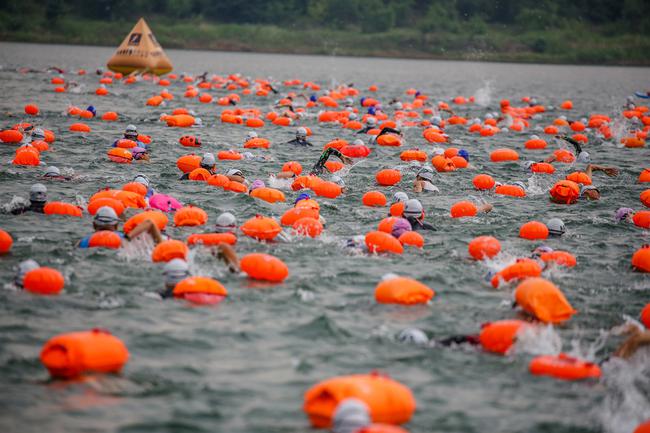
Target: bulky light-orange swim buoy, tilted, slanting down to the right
{"points": [[543, 300]]}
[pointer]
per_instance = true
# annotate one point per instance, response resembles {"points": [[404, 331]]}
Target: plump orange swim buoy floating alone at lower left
{"points": [[96, 351]]}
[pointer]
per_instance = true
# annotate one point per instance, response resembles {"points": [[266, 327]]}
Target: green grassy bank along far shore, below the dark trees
{"points": [[576, 44]]}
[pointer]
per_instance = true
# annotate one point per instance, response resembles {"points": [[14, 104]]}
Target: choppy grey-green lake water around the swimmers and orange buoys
{"points": [[244, 365]]}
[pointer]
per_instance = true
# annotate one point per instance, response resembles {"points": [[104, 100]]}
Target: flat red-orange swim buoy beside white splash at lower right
{"points": [[563, 367]]}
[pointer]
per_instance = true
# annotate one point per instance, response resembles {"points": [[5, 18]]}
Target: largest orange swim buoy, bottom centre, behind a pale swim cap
{"points": [[388, 400]]}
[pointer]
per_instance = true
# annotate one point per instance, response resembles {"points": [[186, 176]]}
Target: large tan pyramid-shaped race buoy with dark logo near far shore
{"points": [[140, 52]]}
